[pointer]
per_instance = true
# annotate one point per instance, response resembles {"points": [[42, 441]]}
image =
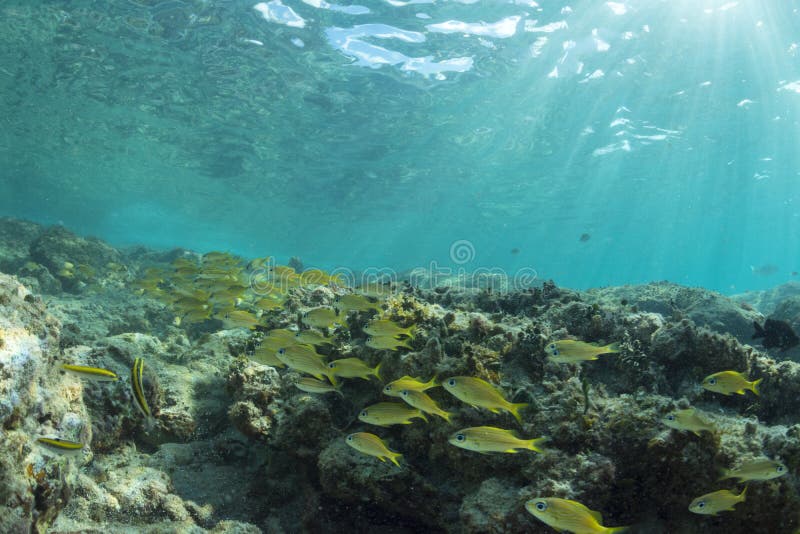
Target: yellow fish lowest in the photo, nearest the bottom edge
{"points": [[569, 516]]}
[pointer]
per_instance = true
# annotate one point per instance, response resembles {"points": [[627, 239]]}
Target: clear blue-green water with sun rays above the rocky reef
{"points": [[379, 135]]}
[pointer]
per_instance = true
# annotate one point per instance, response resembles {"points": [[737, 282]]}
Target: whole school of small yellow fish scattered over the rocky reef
{"points": [[219, 286]]}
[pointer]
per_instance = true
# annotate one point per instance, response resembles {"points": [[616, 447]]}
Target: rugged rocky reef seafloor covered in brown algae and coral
{"points": [[235, 447]]}
